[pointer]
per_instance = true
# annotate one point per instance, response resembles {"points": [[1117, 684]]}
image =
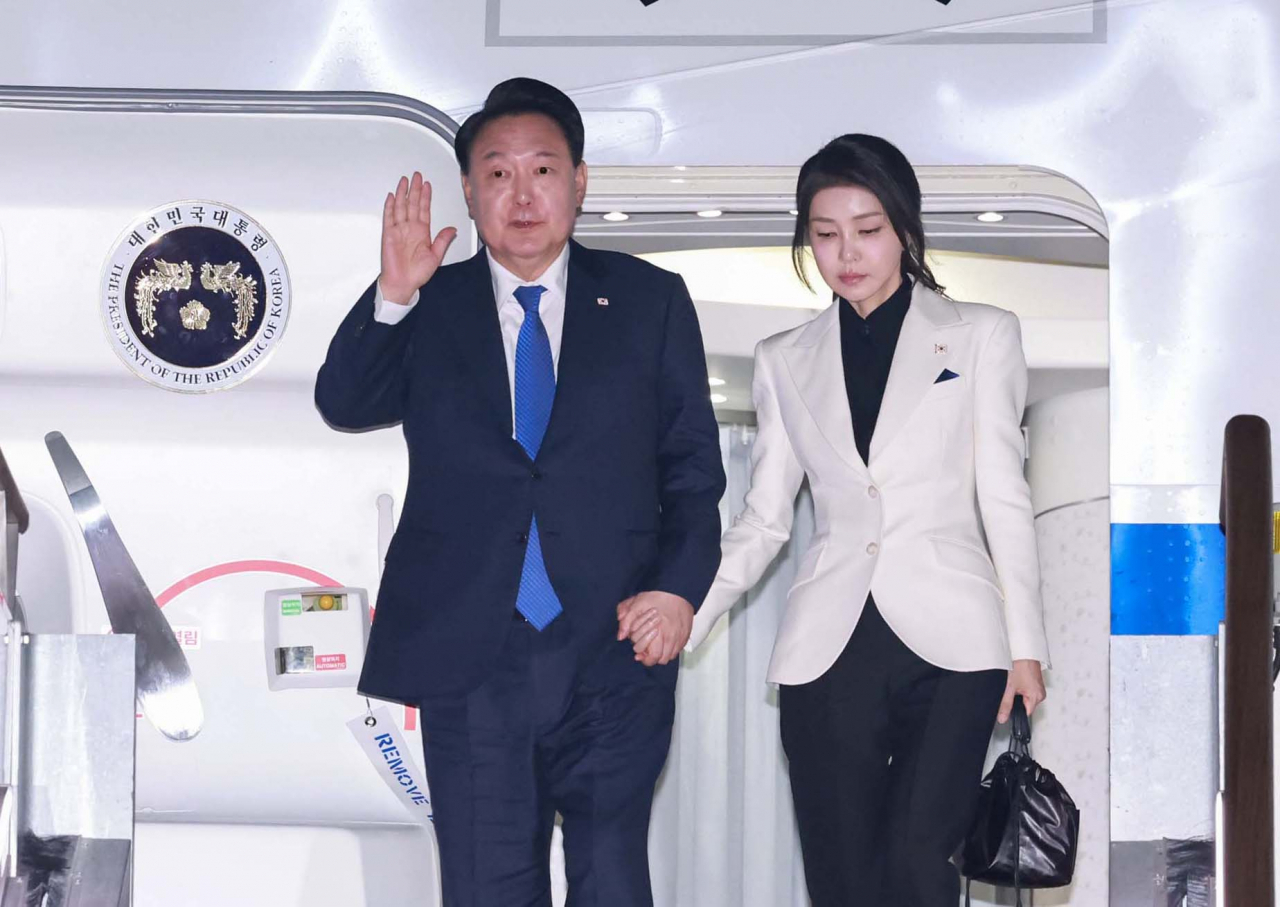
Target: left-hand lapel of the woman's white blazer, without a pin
{"points": [[819, 373]]}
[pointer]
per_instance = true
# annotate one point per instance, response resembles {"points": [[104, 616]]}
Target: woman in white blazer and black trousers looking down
{"points": [[916, 615]]}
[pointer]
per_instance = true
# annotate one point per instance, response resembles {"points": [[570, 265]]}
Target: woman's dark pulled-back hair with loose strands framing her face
{"points": [[876, 166]]}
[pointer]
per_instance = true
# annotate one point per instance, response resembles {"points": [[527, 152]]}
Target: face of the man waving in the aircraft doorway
{"points": [[524, 191]]}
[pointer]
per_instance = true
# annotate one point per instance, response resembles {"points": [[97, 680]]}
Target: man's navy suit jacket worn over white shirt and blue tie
{"points": [[627, 484]]}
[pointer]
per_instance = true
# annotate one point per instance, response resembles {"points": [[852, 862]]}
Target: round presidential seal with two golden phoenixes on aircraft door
{"points": [[195, 297]]}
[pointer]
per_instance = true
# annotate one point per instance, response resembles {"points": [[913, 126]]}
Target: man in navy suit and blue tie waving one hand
{"points": [[565, 477]]}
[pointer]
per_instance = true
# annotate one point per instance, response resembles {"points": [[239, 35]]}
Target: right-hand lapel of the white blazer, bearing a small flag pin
{"points": [[925, 349]]}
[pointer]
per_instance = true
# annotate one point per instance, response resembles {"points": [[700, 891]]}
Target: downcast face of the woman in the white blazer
{"points": [[856, 246]]}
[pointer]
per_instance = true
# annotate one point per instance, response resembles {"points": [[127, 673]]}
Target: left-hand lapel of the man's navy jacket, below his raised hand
{"points": [[474, 323]]}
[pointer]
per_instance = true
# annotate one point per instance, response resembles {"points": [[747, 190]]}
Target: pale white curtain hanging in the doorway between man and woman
{"points": [[724, 831]]}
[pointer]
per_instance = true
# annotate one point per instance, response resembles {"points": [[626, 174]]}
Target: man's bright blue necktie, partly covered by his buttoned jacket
{"points": [[536, 392]]}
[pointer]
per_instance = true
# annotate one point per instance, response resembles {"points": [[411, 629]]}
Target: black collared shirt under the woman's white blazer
{"points": [[867, 347]]}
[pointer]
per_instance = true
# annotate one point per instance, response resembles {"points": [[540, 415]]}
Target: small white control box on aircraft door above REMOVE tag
{"points": [[316, 638]]}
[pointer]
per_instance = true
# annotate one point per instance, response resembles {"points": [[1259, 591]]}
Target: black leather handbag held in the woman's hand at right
{"points": [[1027, 827]]}
